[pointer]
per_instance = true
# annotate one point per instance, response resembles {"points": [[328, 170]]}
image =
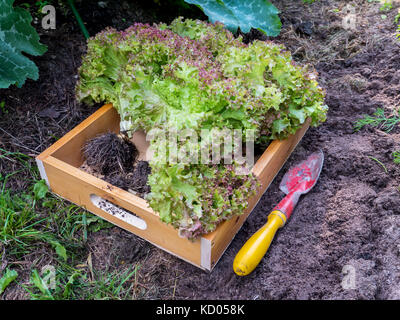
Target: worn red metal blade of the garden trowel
{"points": [[302, 177]]}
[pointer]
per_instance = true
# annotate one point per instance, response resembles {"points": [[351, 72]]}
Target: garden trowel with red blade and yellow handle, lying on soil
{"points": [[297, 181]]}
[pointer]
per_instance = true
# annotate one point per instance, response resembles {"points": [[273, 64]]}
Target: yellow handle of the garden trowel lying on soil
{"points": [[255, 248]]}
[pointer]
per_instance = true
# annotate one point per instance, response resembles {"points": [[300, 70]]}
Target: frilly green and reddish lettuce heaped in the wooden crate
{"points": [[193, 75]]}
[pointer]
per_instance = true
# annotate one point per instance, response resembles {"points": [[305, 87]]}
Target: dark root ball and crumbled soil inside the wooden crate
{"points": [[113, 158]]}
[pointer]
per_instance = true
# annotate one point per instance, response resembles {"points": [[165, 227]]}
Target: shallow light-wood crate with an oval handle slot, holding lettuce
{"points": [[59, 167]]}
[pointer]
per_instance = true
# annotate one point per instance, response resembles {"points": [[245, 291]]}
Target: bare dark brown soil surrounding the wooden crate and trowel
{"points": [[348, 225]]}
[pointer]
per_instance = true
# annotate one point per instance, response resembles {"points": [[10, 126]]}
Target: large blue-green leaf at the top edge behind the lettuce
{"points": [[257, 14]]}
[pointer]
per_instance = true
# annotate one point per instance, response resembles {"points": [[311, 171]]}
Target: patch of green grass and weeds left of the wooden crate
{"points": [[38, 227]]}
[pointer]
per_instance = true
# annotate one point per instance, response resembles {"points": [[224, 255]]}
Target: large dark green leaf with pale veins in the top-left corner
{"points": [[17, 36]]}
